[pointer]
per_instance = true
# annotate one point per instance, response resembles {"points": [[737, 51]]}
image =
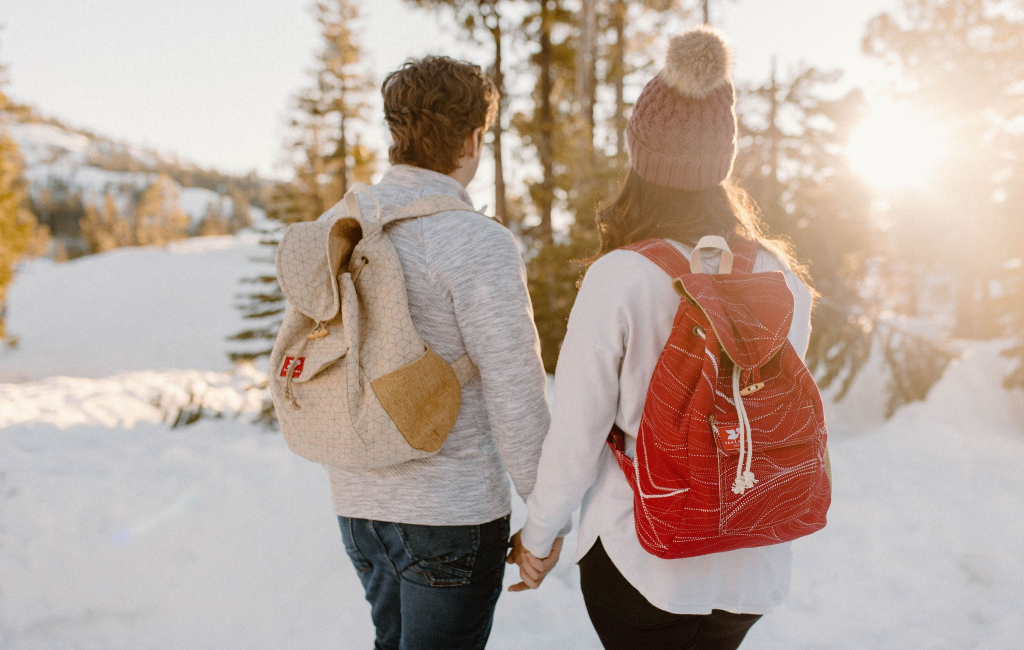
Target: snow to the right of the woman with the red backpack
{"points": [[923, 546]]}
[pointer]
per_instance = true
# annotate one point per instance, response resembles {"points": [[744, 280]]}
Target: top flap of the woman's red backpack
{"points": [[751, 314]]}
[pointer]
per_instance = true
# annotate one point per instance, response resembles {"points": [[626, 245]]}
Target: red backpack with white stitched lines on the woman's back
{"points": [[732, 449]]}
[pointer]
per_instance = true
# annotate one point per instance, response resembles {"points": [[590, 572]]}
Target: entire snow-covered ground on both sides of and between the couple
{"points": [[118, 532]]}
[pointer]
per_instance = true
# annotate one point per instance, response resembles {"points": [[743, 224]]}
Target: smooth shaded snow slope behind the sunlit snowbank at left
{"points": [[132, 310]]}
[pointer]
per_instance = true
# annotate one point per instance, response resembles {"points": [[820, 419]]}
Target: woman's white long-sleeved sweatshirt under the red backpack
{"points": [[618, 329]]}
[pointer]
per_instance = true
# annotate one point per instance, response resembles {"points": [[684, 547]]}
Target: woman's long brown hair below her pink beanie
{"points": [[646, 211]]}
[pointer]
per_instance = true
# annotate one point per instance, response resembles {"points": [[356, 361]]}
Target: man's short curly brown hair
{"points": [[432, 106]]}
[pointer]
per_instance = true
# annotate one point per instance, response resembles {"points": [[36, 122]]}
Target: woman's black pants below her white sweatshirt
{"points": [[625, 620]]}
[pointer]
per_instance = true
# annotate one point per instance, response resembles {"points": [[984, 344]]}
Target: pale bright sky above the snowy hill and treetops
{"points": [[211, 80]]}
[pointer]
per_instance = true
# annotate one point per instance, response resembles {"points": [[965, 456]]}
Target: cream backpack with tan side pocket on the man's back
{"points": [[353, 382]]}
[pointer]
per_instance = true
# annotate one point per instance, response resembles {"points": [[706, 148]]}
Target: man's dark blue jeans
{"points": [[430, 588]]}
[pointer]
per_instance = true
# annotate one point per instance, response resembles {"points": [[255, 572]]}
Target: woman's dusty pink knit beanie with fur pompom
{"points": [[682, 134]]}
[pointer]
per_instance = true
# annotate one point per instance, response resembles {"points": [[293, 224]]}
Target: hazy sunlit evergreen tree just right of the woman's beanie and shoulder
{"points": [[792, 142]]}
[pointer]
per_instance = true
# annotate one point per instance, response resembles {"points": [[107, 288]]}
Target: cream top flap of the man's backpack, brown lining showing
{"points": [[309, 261]]}
